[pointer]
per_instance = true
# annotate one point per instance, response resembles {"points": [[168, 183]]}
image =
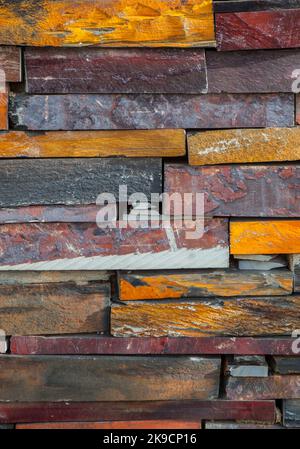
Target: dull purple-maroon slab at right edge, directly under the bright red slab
{"points": [[252, 71]]}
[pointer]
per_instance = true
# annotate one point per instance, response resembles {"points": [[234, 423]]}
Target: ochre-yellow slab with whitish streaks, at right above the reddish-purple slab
{"points": [[244, 146]]}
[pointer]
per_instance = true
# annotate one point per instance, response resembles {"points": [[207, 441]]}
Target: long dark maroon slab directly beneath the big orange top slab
{"points": [[95, 70]]}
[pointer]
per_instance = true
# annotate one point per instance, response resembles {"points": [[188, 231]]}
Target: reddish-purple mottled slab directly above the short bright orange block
{"points": [[239, 190]]}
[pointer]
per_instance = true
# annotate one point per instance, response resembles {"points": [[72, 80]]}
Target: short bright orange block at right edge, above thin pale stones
{"points": [[265, 237]]}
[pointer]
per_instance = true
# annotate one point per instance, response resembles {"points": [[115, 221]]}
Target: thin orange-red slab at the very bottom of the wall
{"points": [[163, 424]]}
